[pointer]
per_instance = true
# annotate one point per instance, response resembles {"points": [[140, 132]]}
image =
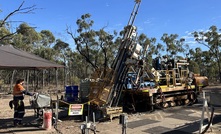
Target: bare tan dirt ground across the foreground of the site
{"points": [[71, 124]]}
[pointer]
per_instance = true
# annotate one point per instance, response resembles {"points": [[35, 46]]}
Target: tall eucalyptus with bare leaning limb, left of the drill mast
{"points": [[85, 41]]}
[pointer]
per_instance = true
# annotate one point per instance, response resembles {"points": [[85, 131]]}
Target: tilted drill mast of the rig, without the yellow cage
{"points": [[129, 50]]}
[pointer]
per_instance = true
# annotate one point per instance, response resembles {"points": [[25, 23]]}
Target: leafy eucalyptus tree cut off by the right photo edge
{"points": [[212, 40]]}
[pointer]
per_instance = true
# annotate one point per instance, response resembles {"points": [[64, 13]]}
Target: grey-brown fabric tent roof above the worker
{"points": [[11, 57]]}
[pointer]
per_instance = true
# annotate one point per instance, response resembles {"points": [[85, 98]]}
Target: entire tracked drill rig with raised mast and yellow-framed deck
{"points": [[129, 85]]}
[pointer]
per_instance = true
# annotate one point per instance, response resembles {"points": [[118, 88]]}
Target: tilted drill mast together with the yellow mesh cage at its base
{"points": [[106, 91]]}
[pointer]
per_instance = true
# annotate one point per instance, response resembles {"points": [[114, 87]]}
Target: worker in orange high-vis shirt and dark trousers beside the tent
{"points": [[18, 96]]}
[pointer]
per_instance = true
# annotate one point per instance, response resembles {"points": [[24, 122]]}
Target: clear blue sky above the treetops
{"points": [[154, 17]]}
